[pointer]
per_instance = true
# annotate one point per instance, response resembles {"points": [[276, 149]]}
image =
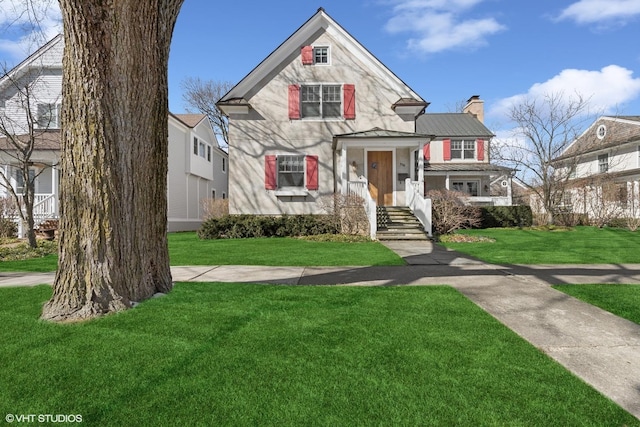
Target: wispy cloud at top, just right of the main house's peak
{"points": [[438, 25]]}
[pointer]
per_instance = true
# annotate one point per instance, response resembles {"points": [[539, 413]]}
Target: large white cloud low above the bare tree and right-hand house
{"points": [[607, 89]]}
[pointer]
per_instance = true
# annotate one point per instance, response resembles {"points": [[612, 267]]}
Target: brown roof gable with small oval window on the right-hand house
{"points": [[619, 130]]}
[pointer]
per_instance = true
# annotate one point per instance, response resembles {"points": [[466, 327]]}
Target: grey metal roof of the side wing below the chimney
{"points": [[454, 125]]}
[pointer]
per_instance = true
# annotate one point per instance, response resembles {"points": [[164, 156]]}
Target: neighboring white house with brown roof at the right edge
{"points": [[603, 167]]}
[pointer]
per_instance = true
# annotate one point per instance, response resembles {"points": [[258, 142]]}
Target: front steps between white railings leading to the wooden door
{"points": [[398, 223]]}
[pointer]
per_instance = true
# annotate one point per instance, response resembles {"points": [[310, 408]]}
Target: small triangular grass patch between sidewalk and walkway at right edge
{"points": [[621, 300]]}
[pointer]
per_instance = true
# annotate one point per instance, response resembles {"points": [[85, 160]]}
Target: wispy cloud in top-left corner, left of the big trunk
{"points": [[25, 29]]}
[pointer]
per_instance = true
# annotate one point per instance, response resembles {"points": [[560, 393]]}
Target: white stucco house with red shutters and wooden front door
{"points": [[322, 115]]}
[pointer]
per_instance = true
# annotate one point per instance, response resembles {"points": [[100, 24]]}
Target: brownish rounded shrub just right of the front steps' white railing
{"points": [[450, 213]]}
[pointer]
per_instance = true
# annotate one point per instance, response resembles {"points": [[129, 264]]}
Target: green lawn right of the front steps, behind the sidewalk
{"points": [[580, 245]]}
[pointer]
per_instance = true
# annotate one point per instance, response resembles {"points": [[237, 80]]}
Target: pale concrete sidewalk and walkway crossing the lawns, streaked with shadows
{"points": [[600, 348]]}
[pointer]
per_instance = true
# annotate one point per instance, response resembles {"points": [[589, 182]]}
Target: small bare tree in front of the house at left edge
{"points": [[21, 133]]}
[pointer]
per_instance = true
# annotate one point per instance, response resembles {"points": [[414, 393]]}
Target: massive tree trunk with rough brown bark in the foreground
{"points": [[113, 245]]}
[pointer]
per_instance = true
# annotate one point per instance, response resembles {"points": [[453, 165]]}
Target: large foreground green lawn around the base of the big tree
{"points": [[231, 354]]}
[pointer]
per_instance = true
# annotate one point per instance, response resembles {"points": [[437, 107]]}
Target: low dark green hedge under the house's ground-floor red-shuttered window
{"points": [[247, 226]]}
